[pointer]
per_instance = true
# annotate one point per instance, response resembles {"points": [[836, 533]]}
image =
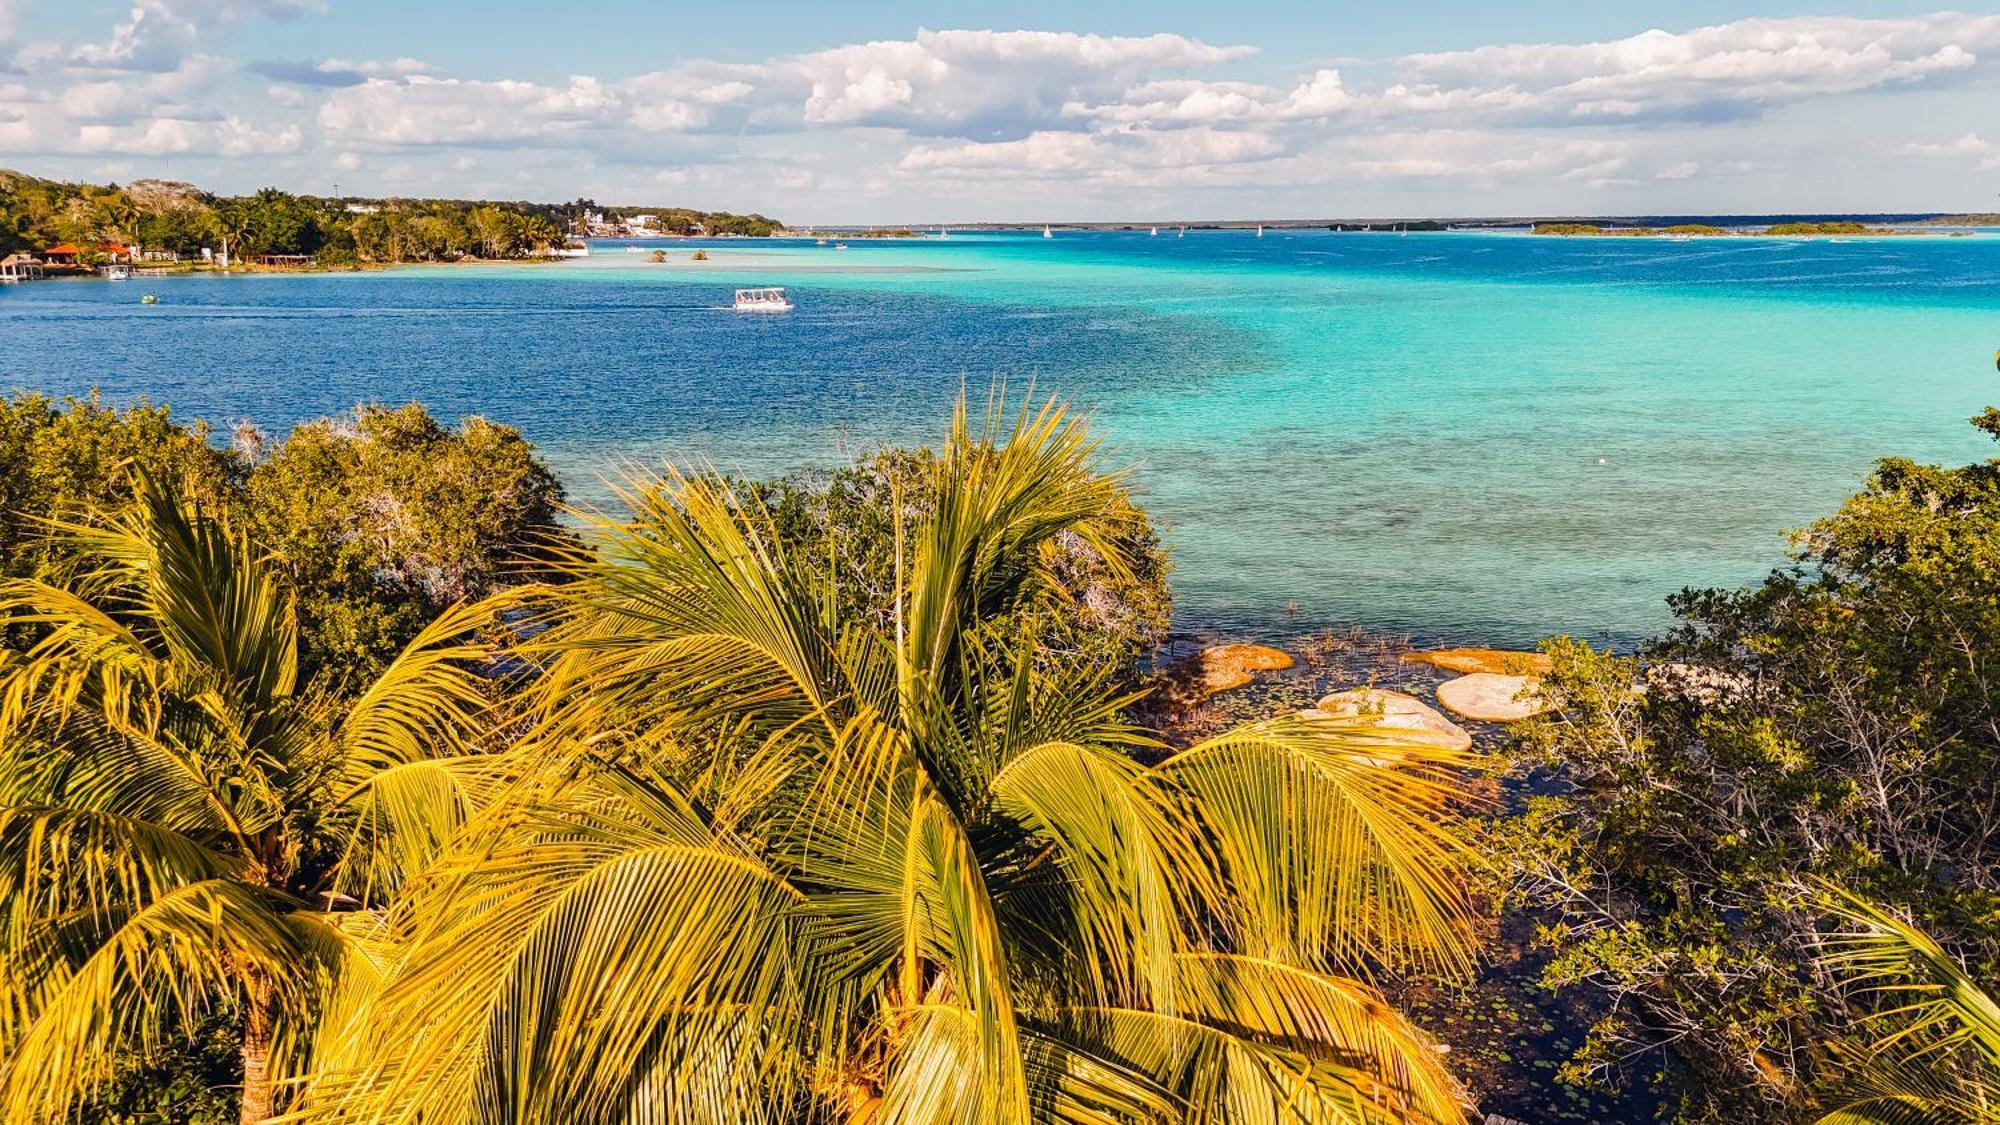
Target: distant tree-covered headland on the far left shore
{"points": [[183, 219]]}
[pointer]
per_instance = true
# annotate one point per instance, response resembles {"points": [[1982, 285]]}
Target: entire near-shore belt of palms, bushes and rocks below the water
{"points": [[877, 794]]}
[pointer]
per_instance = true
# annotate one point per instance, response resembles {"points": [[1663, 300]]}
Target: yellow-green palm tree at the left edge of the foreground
{"points": [[185, 828]]}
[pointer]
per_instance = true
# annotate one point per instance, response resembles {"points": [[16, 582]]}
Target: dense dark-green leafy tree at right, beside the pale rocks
{"points": [[1835, 724]]}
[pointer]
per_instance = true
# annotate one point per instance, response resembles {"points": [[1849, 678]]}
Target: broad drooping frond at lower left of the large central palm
{"points": [[573, 954]]}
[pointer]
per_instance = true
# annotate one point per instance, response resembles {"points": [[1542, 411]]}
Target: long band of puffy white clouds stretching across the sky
{"points": [[991, 107]]}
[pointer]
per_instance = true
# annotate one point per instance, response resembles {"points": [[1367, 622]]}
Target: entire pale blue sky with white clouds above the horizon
{"points": [[1033, 111]]}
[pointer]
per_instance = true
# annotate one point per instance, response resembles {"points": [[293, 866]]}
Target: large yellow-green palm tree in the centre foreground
{"points": [[769, 866]]}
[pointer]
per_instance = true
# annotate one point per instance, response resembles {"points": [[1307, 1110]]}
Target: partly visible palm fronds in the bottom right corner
{"points": [[1939, 1056]]}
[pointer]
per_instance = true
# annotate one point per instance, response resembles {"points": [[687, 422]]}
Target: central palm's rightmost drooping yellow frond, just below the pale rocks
{"points": [[1339, 840]]}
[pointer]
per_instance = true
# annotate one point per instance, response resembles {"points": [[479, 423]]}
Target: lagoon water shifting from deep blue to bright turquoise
{"points": [[1475, 437]]}
